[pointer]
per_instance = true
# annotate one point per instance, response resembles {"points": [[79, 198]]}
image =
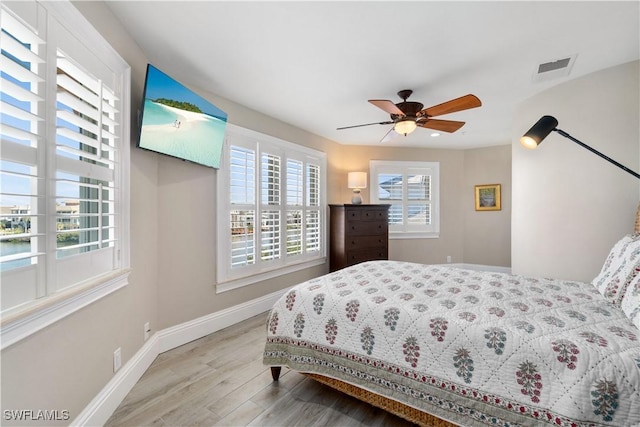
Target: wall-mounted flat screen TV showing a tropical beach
{"points": [[180, 123]]}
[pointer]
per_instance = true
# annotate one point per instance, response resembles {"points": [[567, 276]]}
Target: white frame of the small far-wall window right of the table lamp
{"points": [[406, 231]]}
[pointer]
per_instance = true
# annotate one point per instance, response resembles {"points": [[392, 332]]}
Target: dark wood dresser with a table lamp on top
{"points": [[357, 233]]}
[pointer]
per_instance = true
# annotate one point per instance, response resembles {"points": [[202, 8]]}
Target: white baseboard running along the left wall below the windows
{"points": [[107, 401]]}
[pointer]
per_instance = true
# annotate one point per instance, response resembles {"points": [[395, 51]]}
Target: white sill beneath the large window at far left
{"points": [[18, 325]]}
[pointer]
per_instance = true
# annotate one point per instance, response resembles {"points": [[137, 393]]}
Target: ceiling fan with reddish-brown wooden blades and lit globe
{"points": [[406, 116]]}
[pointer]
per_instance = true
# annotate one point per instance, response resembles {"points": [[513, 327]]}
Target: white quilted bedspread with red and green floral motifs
{"points": [[474, 348]]}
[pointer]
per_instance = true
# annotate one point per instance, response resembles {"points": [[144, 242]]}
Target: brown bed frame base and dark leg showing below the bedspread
{"points": [[392, 406]]}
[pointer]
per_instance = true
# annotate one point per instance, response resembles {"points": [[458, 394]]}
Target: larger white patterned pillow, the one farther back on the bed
{"points": [[620, 269]]}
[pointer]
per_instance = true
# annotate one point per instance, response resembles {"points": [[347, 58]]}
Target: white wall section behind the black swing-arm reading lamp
{"points": [[569, 205]]}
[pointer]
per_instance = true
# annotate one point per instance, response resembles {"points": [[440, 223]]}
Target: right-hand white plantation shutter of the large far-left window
{"points": [[85, 149]]}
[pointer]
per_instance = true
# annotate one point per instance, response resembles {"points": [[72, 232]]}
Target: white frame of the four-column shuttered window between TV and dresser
{"points": [[228, 278]]}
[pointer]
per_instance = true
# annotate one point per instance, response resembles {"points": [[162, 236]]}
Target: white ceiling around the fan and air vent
{"points": [[314, 65]]}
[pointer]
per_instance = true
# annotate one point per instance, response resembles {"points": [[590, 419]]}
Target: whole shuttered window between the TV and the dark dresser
{"points": [[272, 194]]}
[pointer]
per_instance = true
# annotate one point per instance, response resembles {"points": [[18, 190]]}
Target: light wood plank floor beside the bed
{"points": [[219, 380]]}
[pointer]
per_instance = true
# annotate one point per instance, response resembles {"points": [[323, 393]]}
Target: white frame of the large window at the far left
{"points": [[22, 320]]}
